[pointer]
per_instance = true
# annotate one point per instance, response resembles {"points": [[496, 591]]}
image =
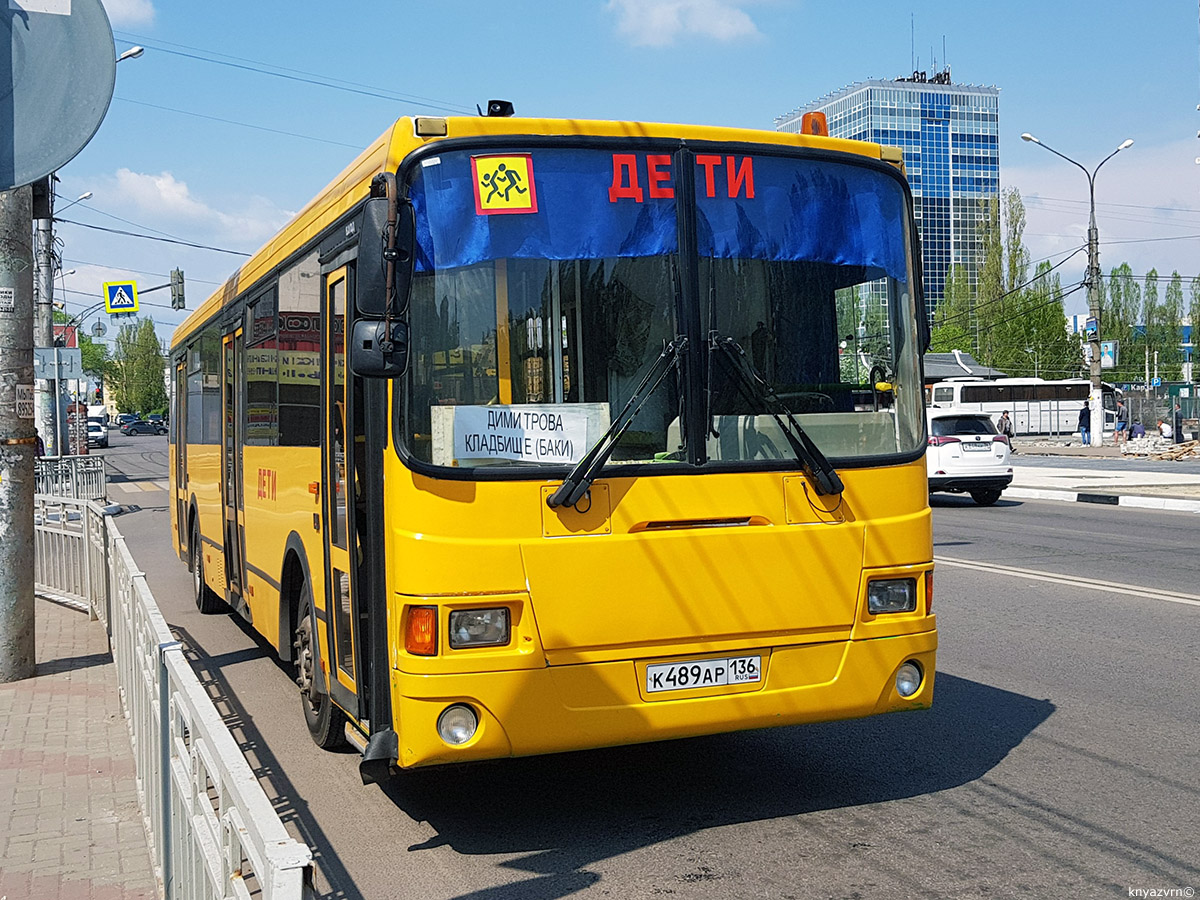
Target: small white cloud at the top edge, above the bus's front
{"points": [[658, 23]]}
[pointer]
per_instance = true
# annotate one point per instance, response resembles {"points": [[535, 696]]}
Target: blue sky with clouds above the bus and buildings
{"points": [[1082, 76]]}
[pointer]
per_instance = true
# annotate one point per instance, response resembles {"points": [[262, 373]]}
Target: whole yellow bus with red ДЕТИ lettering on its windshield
{"points": [[530, 436]]}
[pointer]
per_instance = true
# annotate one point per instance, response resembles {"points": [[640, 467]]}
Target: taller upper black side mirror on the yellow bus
{"points": [[371, 295]]}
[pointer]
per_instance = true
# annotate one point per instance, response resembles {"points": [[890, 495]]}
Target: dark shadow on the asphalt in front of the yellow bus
{"points": [[567, 812]]}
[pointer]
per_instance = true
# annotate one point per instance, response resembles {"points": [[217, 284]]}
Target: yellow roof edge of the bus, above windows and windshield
{"points": [[391, 148]]}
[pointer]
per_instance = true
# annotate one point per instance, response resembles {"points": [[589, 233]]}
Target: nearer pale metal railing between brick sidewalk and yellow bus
{"points": [[214, 832]]}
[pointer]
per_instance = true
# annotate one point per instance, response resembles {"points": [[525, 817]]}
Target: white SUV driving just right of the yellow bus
{"points": [[968, 455]]}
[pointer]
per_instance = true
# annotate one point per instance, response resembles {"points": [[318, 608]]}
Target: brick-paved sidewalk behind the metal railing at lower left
{"points": [[67, 775]]}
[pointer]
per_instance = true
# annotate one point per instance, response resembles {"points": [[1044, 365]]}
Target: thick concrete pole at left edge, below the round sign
{"points": [[17, 440]]}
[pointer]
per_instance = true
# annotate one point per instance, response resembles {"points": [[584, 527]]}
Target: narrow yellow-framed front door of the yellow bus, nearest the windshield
{"points": [[340, 477]]}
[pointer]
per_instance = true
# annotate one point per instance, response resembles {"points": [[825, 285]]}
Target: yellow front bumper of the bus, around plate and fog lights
{"points": [[575, 707]]}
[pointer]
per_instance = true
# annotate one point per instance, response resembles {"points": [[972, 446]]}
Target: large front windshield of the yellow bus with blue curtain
{"points": [[550, 280]]}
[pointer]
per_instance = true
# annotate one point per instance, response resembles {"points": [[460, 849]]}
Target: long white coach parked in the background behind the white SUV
{"points": [[1035, 405]]}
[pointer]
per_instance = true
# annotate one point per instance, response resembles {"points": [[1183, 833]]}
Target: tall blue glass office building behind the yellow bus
{"points": [[951, 140]]}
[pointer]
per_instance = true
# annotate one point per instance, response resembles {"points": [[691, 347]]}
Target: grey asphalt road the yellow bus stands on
{"points": [[1060, 759]]}
